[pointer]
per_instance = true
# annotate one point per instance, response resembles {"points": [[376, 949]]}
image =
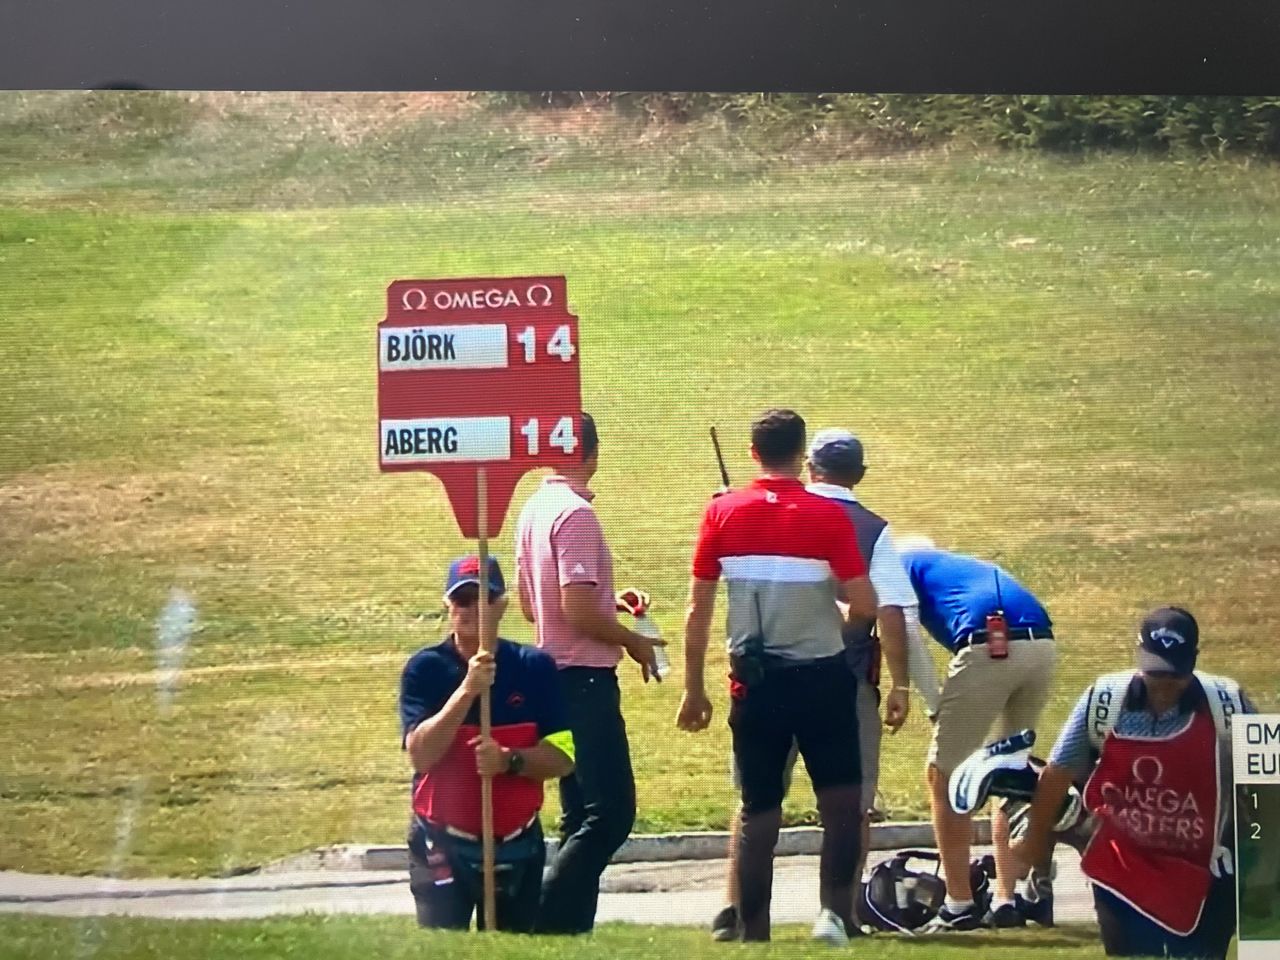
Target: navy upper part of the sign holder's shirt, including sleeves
{"points": [[525, 688]]}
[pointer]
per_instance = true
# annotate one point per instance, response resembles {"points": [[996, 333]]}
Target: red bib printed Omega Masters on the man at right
{"points": [[1156, 803]]}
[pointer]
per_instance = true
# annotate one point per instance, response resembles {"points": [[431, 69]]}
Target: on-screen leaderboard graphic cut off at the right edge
{"points": [[1256, 757]]}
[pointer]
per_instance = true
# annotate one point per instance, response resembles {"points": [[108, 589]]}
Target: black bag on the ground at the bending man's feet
{"points": [[900, 899]]}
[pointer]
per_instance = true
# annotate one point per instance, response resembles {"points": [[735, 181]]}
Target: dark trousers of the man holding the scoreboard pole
{"points": [[451, 904]]}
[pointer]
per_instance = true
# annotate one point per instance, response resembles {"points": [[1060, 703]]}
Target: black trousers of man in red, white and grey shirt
{"points": [[816, 706]]}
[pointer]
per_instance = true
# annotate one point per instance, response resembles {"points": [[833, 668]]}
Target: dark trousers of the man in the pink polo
{"points": [[598, 801]]}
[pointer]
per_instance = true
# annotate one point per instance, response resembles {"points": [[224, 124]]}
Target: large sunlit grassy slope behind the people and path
{"points": [[1066, 364]]}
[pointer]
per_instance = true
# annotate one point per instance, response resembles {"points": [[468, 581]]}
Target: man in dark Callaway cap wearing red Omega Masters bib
{"points": [[1154, 751]]}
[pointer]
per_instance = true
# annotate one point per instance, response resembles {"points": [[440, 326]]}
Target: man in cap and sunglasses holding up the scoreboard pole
{"points": [[531, 743]]}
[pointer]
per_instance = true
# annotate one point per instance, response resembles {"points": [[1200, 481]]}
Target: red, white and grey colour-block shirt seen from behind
{"points": [[781, 551]]}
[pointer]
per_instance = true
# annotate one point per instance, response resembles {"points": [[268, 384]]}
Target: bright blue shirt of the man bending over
{"points": [[957, 593]]}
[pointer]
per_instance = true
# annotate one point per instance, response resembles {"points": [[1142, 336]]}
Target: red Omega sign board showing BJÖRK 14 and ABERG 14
{"points": [[478, 373]]}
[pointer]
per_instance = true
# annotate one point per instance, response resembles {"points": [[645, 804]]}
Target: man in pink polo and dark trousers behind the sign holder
{"points": [[566, 591]]}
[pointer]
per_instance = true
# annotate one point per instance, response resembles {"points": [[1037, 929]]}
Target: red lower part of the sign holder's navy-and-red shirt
{"points": [[450, 796]]}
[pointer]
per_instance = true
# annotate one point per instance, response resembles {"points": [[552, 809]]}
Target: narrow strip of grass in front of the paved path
{"points": [[331, 939]]}
